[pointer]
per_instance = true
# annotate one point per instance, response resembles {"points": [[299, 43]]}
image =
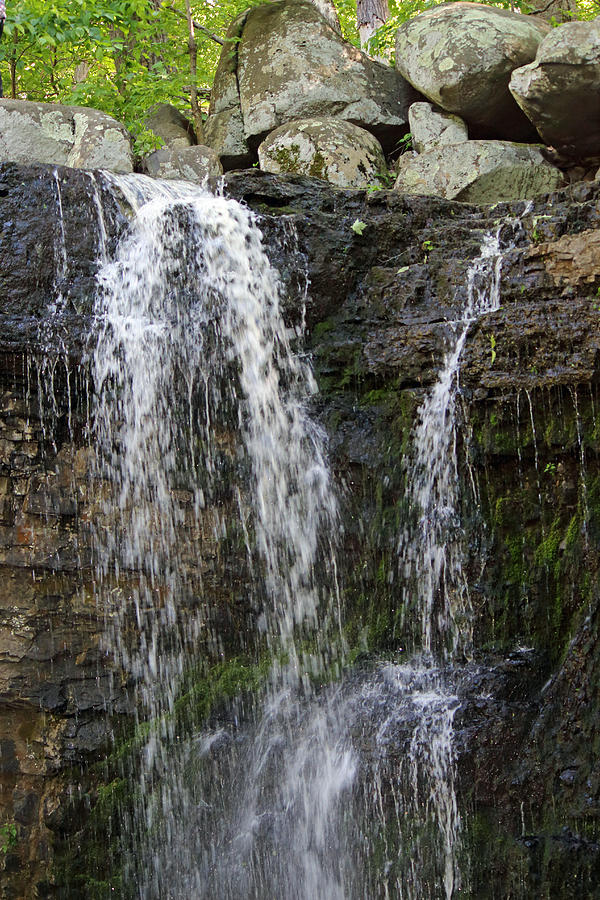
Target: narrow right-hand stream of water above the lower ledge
{"points": [[431, 553]]}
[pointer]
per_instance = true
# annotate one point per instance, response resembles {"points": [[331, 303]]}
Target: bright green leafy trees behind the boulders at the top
{"points": [[123, 56]]}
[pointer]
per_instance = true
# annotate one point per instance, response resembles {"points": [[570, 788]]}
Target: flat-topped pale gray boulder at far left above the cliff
{"points": [[64, 136]]}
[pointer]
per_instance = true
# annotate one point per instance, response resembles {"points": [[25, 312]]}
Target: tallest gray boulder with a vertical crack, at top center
{"points": [[284, 62]]}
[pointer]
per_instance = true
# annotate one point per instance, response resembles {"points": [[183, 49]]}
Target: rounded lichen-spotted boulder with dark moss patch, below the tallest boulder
{"points": [[337, 151]]}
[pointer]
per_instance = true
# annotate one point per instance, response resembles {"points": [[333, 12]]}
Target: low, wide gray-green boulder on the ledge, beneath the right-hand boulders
{"points": [[479, 172]]}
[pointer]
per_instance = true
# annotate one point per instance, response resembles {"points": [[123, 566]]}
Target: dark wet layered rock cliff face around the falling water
{"points": [[378, 312]]}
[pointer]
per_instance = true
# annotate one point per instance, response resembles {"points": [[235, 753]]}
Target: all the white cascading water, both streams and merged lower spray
{"points": [[341, 792]]}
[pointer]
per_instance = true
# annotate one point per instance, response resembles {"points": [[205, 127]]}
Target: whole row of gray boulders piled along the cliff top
{"points": [[498, 105]]}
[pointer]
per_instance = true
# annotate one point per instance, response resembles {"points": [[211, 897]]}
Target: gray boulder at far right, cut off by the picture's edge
{"points": [[560, 90]]}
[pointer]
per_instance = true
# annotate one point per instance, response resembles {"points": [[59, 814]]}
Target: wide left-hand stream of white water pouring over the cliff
{"points": [[190, 308]]}
